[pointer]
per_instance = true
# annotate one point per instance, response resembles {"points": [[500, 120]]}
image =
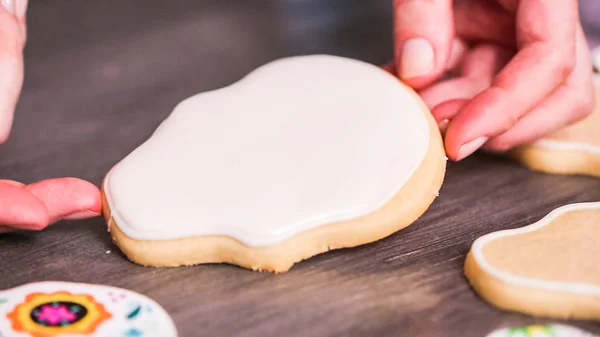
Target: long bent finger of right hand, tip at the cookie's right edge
{"points": [[545, 59]]}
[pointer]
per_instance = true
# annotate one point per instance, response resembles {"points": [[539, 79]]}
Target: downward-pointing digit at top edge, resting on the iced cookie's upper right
{"points": [[424, 31]]}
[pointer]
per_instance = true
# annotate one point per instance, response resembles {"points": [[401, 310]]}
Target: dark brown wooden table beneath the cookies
{"points": [[101, 75]]}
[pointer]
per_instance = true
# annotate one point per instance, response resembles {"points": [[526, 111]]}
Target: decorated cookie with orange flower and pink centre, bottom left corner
{"points": [[50, 309]]}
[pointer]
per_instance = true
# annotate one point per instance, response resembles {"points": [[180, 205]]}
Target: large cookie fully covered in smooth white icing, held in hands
{"points": [[303, 155]]}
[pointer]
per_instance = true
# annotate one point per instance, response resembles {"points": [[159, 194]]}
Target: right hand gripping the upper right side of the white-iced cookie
{"points": [[520, 69]]}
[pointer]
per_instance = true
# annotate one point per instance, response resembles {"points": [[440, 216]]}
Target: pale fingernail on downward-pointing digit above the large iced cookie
{"points": [[417, 58]]}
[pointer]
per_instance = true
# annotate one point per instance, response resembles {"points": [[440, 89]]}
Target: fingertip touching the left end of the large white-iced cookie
{"points": [[67, 198]]}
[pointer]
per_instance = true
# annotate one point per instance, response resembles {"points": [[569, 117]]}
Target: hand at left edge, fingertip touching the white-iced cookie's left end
{"points": [[33, 206]]}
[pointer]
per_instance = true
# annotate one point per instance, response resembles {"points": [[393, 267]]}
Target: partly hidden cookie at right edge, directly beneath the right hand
{"points": [[572, 150]]}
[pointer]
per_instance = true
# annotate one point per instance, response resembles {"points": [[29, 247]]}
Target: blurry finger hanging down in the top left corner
{"points": [[12, 39]]}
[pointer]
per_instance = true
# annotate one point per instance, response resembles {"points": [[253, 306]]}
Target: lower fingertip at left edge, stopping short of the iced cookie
{"points": [[21, 209]]}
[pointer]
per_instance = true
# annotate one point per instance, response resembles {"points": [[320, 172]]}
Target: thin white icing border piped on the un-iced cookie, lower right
{"points": [[571, 287]]}
